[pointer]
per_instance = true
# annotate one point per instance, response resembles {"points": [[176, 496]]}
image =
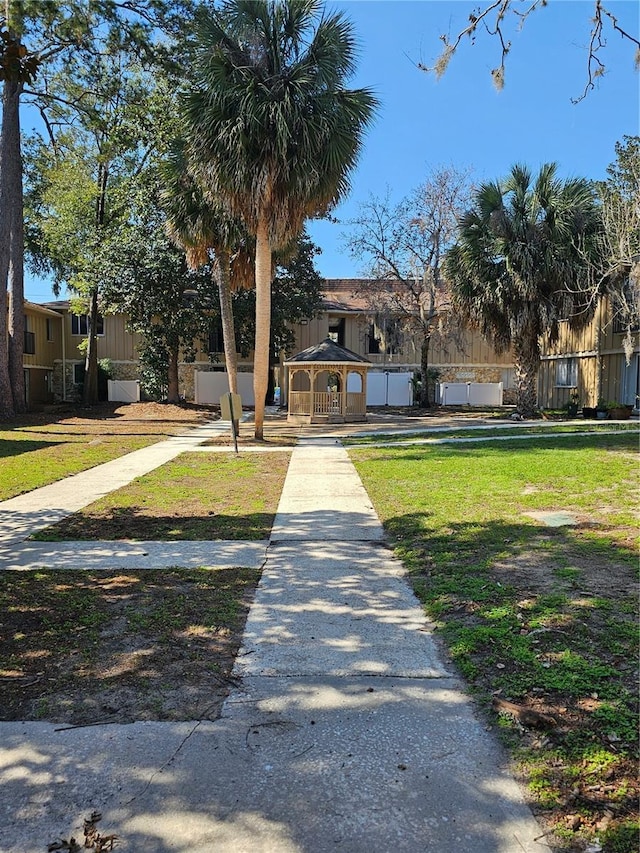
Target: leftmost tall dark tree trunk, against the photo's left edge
{"points": [[9, 163]]}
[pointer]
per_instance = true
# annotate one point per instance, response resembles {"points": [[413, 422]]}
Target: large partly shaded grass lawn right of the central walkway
{"points": [[541, 621]]}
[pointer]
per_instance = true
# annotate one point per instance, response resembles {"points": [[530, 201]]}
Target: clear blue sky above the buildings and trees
{"points": [[461, 120]]}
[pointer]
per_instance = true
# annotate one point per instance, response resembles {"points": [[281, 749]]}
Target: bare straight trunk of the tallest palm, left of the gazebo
{"points": [[263, 324]]}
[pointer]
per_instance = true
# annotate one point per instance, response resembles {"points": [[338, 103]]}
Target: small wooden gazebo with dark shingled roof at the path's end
{"points": [[327, 384]]}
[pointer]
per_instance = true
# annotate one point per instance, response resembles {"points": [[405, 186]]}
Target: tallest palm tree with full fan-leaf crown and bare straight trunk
{"points": [[272, 130]]}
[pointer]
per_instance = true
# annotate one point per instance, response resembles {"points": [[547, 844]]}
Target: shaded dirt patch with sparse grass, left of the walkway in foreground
{"points": [[85, 647]]}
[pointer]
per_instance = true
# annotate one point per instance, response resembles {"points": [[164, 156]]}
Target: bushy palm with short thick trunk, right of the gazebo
{"points": [[525, 254]]}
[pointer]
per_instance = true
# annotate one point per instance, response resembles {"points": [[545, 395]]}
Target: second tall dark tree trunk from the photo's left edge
{"points": [[16, 267]]}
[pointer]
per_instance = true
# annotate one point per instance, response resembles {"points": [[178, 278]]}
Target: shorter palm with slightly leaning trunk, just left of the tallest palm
{"points": [[197, 227]]}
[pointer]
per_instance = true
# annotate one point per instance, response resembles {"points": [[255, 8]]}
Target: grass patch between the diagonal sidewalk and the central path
{"points": [[196, 496]]}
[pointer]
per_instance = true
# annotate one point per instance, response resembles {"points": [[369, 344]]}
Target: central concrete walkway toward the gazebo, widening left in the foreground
{"points": [[347, 731]]}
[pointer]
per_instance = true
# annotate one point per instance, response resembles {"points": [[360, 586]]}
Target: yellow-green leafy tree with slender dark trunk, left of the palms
{"points": [[109, 141]]}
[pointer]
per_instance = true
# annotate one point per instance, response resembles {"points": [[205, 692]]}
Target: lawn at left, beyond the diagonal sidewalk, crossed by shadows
{"points": [[40, 449]]}
